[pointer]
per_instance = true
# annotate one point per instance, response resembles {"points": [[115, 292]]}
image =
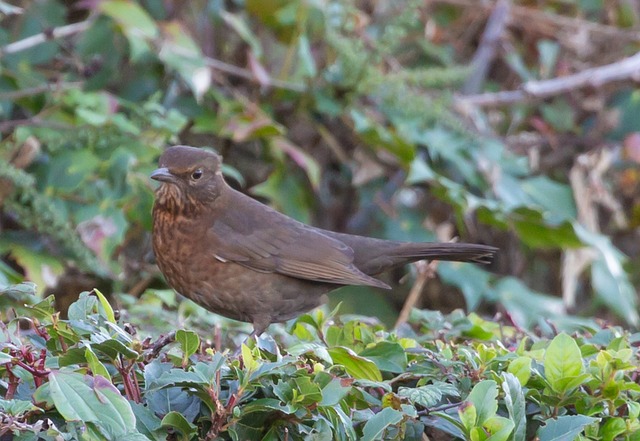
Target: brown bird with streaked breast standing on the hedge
{"points": [[243, 260]]}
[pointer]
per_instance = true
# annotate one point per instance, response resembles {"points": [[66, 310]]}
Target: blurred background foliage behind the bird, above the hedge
{"points": [[367, 117]]}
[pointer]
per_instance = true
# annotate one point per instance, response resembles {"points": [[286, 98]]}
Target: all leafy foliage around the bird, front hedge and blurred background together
{"points": [[339, 113]]}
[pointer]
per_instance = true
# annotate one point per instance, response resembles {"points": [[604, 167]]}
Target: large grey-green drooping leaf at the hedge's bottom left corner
{"points": [[94, 400]]}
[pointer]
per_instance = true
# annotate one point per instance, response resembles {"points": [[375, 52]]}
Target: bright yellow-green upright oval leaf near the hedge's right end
{"points": [[562, 360]]}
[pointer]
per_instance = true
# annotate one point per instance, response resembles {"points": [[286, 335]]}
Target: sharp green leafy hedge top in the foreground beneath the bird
{"points": [[91, 377]]}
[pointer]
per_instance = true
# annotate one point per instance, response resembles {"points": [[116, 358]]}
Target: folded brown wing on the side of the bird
{"points": [[265, 240]]}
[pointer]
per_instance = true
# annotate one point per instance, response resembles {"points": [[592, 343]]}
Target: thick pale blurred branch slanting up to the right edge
{"points": [[626, 69]]}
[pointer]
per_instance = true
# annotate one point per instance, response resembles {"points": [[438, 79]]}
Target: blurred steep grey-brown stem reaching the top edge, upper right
{"points": [[488, 46]]}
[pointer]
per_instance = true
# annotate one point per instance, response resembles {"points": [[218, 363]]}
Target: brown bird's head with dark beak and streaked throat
{"points": [[188, 176]]}
